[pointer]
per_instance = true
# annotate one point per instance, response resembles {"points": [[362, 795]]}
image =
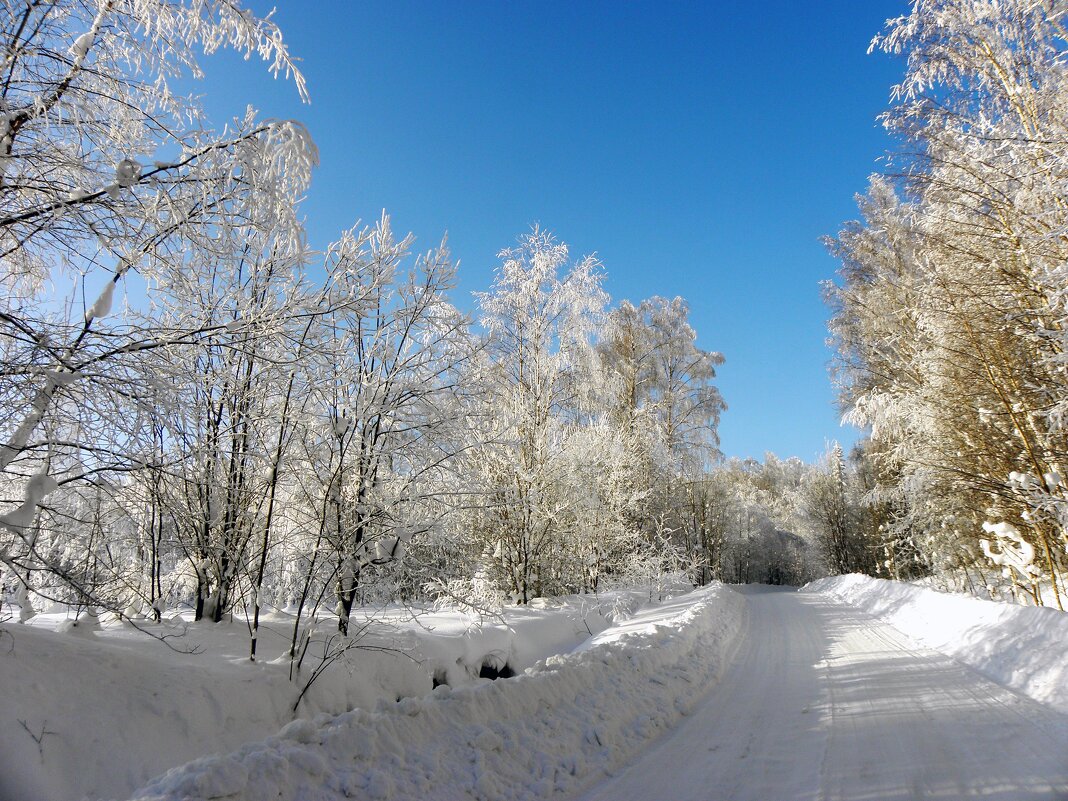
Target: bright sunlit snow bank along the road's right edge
{"points": [[1020, 648]]}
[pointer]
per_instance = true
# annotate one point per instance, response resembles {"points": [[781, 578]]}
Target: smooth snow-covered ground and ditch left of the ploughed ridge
{"points": [[100, 712]]}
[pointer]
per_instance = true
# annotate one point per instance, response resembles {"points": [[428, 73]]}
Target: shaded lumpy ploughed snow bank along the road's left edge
{"points": [[556, 728]]}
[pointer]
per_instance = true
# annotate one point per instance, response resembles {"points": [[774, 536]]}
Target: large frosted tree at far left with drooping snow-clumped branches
{"points": [[112, 182]]}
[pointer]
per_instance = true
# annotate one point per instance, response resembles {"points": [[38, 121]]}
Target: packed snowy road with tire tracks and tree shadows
{"points": [[824, 702]]}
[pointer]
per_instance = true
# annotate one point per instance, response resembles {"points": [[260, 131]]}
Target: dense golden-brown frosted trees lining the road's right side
{"points": [[950, 315]]}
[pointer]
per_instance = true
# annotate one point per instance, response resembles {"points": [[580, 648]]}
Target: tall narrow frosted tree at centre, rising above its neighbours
{"points": [[540, 318]]}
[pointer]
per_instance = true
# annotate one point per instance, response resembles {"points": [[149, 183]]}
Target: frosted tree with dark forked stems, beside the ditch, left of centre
{"points": [[388, 392]]}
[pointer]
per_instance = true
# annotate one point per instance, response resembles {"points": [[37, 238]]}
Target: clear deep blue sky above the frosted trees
{"points": [[699, 149]]}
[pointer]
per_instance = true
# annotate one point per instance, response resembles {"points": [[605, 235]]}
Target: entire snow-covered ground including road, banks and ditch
{"points": [[855, 688]]}
